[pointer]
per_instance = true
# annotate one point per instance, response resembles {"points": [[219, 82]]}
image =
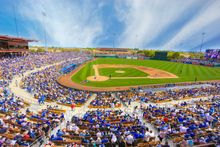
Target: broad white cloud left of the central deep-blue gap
{"points": [[68, 23]]}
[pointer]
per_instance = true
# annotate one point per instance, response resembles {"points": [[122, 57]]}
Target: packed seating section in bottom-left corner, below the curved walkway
{"points": [[24, 129]]}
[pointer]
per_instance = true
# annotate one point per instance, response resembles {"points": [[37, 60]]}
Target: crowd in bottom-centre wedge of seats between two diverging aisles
{"points": [[106, 127]]}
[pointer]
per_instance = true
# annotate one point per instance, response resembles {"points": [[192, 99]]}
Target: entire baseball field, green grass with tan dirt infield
{"points": [[108, 72]]}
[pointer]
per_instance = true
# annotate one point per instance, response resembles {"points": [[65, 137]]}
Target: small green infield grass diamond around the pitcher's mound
{"points": [[128, 72]]}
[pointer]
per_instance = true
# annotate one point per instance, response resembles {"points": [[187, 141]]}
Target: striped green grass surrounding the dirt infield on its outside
{"points": [[189, 72]]}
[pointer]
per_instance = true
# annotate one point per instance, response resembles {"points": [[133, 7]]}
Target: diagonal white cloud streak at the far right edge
{"points": [[205, 22]]}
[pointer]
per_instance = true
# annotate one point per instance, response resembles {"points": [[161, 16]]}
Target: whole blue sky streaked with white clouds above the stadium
{"points": [[150, 24]]}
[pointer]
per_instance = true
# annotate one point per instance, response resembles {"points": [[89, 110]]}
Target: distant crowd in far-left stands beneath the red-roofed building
{"points": [[18, 65]]}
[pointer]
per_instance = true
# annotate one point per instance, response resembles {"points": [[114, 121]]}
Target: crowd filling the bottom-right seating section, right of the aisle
{"points": [[188, 123]]}
